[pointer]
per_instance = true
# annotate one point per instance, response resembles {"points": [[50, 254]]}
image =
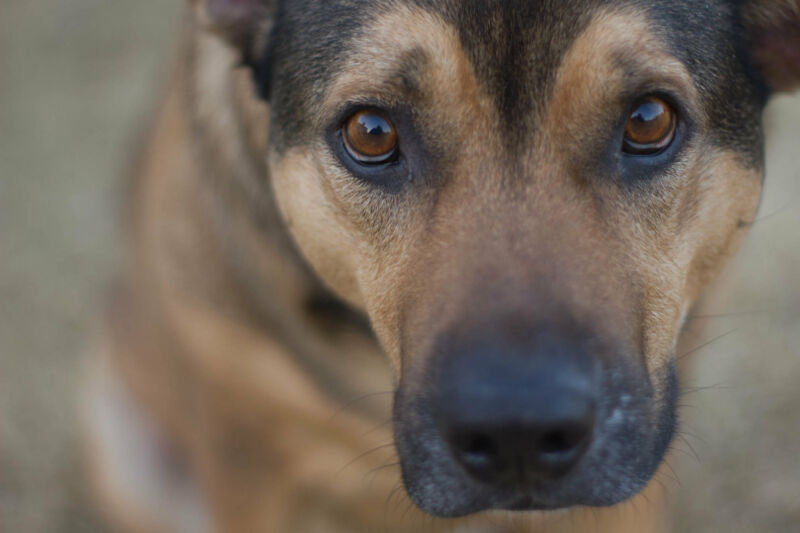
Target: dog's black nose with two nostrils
{"points": [[515, 418]]}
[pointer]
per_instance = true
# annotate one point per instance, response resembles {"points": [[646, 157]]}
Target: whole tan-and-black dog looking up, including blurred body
{"points": [[411, 265]]}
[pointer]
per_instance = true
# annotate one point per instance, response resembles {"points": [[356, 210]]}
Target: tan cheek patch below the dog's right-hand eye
{"points": [[702, 223]]}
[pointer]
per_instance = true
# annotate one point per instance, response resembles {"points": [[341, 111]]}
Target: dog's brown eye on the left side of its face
{"points": [[370, 137]]}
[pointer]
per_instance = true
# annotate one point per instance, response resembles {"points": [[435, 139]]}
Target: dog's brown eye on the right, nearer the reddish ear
{"points": [[650, 127]]}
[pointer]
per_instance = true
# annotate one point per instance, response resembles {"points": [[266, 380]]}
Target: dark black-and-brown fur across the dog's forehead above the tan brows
{"points": [[515, 48]]}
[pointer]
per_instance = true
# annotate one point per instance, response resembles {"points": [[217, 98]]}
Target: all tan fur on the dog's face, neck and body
{"points": [[269, 448]]}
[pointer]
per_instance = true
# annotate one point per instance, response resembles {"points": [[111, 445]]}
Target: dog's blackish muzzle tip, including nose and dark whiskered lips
{"points": [[545, 422]]}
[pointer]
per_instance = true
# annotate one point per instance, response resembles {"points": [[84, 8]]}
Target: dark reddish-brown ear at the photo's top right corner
{"points": [[773, 28]]}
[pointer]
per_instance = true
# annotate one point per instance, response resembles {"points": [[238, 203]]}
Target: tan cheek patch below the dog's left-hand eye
{"points": [[356, 246]]}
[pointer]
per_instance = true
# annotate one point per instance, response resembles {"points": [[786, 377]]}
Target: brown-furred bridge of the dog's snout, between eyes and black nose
{"points": [[494, 249]]}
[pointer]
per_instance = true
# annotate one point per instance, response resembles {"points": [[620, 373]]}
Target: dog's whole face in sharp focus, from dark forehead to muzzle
{"points": [[525, 197]]}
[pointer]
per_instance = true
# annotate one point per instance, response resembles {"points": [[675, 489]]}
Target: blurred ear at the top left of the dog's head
{"points": [[238, 21]]}
